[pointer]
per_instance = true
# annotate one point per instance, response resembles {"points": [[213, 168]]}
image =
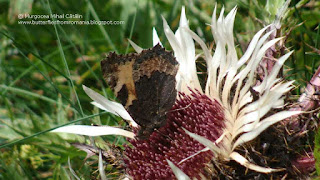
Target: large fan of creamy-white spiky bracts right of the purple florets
{"points": [[229, 82]]}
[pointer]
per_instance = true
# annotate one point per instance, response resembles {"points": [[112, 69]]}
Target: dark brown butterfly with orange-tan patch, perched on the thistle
{"points": [[145, 85]]}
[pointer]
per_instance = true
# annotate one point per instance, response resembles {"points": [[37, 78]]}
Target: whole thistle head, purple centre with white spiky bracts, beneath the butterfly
{"points": [[231, 110]]}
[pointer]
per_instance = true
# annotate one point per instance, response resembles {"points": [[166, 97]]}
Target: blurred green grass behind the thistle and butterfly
{"points": [[43, 67]]}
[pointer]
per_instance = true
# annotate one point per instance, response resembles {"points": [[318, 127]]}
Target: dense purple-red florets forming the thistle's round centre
{"points": [[146, 159]]}
